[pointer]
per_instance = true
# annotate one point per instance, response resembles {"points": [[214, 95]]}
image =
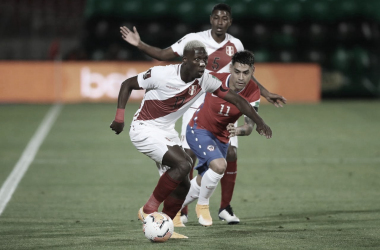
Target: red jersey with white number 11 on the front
{"points": [[215, 113]]}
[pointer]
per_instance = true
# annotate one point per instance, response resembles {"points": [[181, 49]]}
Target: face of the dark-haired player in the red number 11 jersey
{"points": [[240, 76]]}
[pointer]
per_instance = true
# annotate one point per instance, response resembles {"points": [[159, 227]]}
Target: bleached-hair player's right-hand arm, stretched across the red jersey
{"points": [[246, 109]]}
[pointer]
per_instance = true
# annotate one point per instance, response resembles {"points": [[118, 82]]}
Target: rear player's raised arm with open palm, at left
{"points": [[133, 38]]}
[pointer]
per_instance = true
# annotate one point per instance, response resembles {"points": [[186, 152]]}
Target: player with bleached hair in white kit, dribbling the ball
{"points": [[170, 91]]}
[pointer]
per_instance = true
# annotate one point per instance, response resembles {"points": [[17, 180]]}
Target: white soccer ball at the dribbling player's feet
{"points": [[158, 227]]}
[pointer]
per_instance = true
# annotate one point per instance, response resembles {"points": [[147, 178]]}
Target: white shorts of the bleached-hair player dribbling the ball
{"points": [[152, 141]]}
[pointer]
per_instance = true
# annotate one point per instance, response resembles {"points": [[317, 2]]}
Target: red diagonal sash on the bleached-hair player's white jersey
{"points": [[153, 109]]}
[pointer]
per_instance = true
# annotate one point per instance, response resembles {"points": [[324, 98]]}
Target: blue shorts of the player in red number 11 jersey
{"points": [[205, 146]]}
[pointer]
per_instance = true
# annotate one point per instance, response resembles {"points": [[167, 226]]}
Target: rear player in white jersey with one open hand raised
{"points": [[220, 46]]}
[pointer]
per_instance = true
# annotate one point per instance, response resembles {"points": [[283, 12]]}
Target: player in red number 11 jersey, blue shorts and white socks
{"points": [[211, 127]]}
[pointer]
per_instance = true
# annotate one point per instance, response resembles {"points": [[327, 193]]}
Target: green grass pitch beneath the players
{"points": [[314, 185]]}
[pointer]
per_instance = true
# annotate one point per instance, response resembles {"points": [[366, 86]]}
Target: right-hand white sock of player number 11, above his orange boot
{"points": [[208, 185]]}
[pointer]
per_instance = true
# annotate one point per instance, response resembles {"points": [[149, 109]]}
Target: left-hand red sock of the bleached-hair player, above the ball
{"points": [[164, 188]]}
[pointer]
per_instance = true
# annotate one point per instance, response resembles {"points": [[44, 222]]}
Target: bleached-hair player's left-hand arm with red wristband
{"points": [[126, 88]]}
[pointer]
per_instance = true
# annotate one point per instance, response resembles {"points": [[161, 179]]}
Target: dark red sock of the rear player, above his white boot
{"points": [[228, 183]]}
